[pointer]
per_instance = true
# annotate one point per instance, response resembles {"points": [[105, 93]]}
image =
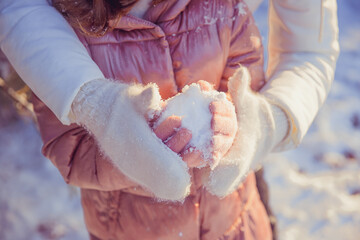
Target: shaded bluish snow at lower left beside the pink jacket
{"points": [[35, 203]]}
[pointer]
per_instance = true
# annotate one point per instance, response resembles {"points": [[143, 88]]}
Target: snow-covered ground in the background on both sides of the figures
{"points": [[315, 190]]}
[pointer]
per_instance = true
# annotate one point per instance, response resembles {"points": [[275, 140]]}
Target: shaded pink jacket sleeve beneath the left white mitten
{"points": [[76, 154]]}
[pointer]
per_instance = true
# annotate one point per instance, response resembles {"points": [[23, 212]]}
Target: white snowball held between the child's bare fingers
{"points": [[192, 105]]}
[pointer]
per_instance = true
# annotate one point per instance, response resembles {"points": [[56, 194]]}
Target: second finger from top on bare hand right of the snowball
{"points": [[223, 125]]}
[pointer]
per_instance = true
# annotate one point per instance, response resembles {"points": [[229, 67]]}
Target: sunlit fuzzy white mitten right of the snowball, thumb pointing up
{"points": [[261, 126]]}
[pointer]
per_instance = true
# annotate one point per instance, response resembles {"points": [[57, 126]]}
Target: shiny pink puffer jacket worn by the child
{"points": [[180, 42]]}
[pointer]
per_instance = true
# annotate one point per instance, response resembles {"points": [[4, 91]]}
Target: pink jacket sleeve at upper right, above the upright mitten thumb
{"points": [[245, 48]]}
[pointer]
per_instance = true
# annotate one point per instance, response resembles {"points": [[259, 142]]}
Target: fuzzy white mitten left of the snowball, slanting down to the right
{"points": [[115, 113]]}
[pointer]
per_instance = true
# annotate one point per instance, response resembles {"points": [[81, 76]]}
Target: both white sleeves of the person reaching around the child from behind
{"points": [[303, 48]]}
